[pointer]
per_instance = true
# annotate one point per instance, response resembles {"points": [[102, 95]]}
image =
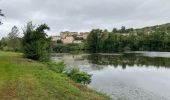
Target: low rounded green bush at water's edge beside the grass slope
{"points": [[79, 76]]}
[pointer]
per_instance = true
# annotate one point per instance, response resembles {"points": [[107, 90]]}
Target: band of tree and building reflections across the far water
{"points": [[99, 61]]}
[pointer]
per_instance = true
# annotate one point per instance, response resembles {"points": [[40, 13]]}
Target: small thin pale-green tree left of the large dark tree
{"points": [[13, 42]]}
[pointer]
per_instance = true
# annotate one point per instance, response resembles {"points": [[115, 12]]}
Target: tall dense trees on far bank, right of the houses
{"points": [[134, 40]]}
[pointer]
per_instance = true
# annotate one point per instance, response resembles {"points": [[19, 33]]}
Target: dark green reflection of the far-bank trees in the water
{"points": [[128, 59]]}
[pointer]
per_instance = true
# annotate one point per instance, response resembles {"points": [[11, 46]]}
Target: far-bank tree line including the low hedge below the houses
{"points": [[155, 38]]}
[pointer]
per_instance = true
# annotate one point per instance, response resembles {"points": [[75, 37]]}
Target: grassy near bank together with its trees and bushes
{"points": [[32, 75]]}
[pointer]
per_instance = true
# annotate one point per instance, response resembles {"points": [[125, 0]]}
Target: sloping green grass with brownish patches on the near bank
{"points": [[25, 79]]}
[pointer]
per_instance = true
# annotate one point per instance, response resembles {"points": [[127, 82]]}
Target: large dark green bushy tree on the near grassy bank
{"points": [[36, 44]]}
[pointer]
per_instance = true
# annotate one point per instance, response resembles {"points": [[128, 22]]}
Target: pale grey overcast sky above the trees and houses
{"points": [[83, 15]]}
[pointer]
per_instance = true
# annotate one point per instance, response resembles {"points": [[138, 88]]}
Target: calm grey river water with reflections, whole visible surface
{"points": [[125, 76]]}
